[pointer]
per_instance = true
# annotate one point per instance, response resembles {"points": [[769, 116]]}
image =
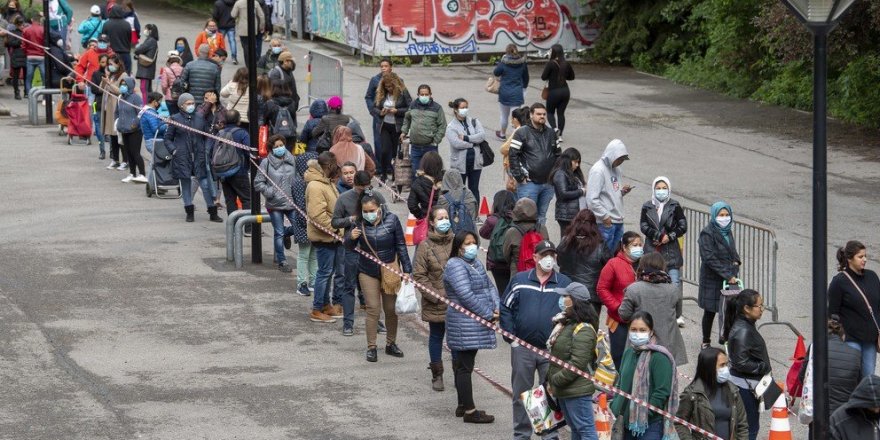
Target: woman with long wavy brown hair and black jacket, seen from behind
{"points": [[583, 254]]}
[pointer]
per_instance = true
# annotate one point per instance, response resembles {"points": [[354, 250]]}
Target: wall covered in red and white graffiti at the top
{"points": [[429, 27]]}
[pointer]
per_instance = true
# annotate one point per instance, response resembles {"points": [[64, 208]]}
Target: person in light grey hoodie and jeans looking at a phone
{"points": [[605, 192]]}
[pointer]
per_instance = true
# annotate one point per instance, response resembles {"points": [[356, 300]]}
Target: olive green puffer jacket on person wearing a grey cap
{"points": [[576, 344]]}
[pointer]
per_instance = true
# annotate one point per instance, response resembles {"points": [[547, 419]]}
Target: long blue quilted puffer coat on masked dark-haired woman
{"points": [[468, 284]]}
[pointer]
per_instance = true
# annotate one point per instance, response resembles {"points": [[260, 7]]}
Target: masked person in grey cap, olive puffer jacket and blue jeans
{"points": [[573, 340]]}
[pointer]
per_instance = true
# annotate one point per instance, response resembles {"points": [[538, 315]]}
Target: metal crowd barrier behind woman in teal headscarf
{"points": [[757, 249]]}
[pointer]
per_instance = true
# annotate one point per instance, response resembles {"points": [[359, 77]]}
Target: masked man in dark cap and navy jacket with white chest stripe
{"points": [[528, 306]]}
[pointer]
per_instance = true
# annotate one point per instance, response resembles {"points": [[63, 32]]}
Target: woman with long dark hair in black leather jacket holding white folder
{"points": [[749, 360]]}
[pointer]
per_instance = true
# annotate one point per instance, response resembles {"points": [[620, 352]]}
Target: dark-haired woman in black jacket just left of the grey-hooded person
{"points": [[570, 186]]}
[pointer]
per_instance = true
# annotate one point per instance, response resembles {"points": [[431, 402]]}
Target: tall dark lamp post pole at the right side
{"points": [[820, 230]]}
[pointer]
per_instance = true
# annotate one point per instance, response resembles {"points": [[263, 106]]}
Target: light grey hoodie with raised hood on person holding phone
{"points": [[604, 195]]}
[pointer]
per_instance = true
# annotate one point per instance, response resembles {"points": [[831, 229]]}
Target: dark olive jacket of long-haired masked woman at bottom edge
{"points": [[696, 408]]}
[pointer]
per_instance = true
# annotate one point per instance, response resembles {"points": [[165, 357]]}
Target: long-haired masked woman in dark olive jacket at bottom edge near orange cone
{"points": [[711, 402]]}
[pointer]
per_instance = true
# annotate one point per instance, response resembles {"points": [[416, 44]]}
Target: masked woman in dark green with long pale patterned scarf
{"points": [[647, 371]]}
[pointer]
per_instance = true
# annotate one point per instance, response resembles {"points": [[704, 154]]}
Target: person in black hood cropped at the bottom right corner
{"points": [[859, 418]]}
